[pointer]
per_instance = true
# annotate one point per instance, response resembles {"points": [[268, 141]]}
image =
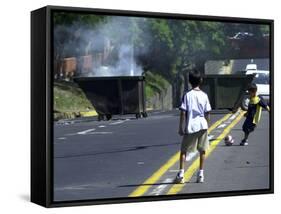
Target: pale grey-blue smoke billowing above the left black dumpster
{"points": [[106, 49]]}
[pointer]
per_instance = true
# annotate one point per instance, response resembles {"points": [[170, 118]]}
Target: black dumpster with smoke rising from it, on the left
{"points": [[115, 95]]}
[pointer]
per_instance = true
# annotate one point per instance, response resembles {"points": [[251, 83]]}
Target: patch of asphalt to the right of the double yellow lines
{"points": [[238, 167]]}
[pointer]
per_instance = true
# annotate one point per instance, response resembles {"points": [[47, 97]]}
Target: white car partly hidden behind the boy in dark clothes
{"points": [[261, 79]]}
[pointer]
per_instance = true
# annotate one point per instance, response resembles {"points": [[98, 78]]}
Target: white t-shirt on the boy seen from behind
{"points": [[195, 103]]}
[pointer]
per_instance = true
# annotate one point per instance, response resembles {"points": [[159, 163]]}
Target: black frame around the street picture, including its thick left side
{"points": [[42, 105]]}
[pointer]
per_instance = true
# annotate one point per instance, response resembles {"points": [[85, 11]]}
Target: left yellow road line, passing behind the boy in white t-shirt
{"points": [[142, 189]]}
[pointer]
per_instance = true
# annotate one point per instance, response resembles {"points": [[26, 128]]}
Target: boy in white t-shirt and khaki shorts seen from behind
{"points": [[194, 114]]}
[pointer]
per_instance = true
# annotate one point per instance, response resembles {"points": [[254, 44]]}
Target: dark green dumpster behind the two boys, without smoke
{"points": [[226, 91]]}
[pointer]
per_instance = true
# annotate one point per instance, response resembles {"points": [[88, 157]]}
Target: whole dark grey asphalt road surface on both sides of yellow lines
{"points": [[109, 159]]}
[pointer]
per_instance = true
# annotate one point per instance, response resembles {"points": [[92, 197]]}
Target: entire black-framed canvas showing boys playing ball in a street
{"points": [[131, 106]]}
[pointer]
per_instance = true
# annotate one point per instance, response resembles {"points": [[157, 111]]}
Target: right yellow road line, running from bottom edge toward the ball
{"points": [[195, 165]]}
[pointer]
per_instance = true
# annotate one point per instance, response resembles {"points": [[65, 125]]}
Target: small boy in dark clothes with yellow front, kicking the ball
{"points": [[253, 113]]}
